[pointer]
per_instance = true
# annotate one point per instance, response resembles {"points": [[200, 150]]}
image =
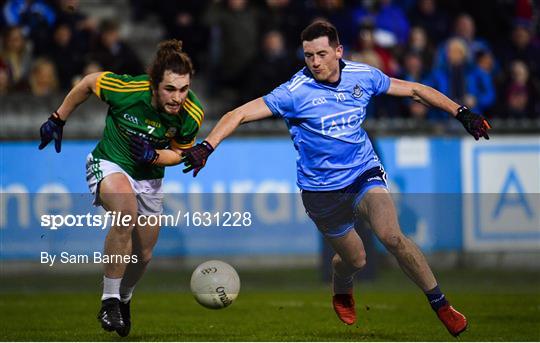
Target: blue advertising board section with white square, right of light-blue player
{"points": [[424, 178]]}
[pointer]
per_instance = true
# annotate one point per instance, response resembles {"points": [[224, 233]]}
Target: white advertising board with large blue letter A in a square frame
{"points": [[502, 210]]}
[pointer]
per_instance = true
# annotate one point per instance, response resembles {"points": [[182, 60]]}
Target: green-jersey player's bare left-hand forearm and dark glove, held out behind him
{"points": [[54, 126]]}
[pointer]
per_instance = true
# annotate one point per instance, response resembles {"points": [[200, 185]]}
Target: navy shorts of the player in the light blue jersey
{"points": [[334, 211]]}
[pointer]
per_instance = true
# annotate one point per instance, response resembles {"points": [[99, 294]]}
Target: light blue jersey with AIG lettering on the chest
{"points": [[325, 124]]}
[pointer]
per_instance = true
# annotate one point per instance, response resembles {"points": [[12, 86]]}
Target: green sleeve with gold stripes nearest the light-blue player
{"points": [[194, 115]]}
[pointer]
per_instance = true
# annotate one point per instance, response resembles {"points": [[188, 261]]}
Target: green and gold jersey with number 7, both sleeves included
{"points": [[131, 112]]}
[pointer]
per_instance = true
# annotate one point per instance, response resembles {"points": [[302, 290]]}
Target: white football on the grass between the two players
{"points": [[215, 284]]}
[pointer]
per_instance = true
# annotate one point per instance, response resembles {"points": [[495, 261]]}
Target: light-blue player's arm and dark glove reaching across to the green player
{"points": [[195, 158]]}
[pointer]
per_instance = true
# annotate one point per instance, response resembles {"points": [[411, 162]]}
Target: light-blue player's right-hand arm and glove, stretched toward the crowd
{"points": [[474, 123]]}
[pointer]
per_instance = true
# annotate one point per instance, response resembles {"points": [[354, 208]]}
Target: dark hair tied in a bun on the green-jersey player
{"points": [[169, 57]]}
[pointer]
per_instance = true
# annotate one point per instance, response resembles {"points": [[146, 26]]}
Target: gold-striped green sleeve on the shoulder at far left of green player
{"points": [[119, 90]]}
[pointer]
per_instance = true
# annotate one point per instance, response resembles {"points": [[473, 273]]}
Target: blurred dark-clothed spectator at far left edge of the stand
{"points": [[16, 55]]}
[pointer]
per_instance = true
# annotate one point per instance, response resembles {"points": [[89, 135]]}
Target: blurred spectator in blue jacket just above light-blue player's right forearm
{"points": [[462, 81]]}
